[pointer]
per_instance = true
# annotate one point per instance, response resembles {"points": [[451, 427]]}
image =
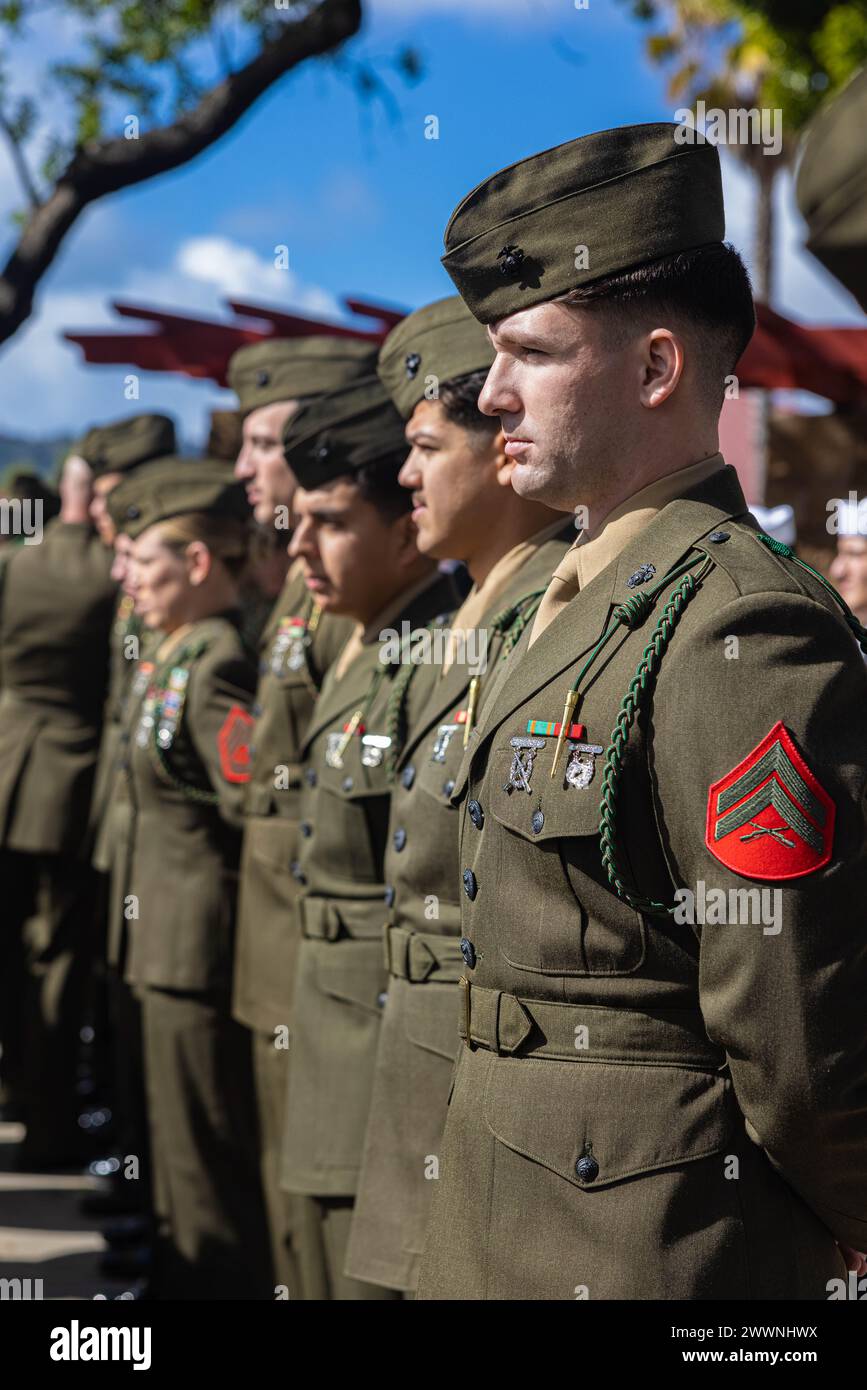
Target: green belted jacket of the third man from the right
{"points": [[341, 976]]}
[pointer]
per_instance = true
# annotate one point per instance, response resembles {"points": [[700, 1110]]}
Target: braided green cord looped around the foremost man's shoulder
{"points": [[633, 614]]}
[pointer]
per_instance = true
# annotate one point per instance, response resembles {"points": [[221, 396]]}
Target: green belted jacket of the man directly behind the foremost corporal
{"points": [[419, 1032]]}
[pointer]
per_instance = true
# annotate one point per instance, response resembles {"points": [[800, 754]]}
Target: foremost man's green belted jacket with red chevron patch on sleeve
{"points": [[654, 1104]]}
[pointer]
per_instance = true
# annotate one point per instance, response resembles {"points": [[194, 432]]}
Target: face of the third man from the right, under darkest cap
{"points": [[355, 561]]}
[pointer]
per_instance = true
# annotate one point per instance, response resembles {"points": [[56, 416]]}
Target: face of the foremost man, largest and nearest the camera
{"points": [[566, 400]]}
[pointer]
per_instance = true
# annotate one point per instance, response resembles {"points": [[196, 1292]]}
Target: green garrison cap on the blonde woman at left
{"points": [[172, 487]]}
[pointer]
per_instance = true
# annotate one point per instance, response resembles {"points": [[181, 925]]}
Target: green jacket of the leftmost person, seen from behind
{"points": [[56, 616]]}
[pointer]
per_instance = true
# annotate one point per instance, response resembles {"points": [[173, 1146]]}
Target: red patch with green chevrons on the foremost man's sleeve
{"points": [[770, 818]]}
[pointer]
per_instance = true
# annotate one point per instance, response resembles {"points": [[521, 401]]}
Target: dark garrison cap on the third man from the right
{"points": [[342, 432]]}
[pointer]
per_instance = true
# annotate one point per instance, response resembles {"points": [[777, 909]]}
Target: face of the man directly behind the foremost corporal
{"points": [[452, 475]]}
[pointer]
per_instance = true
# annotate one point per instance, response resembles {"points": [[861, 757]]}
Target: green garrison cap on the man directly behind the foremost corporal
{"points": [[441, 341]]}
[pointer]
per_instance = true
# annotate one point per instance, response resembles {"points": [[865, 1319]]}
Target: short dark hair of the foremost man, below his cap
{"points": [[707, 288]]}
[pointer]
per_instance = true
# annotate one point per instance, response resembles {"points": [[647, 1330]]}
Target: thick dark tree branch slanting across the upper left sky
{"points": [[109, 166]]}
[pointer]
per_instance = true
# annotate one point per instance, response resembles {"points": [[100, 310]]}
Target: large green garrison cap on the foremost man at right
{"points": [[593, 208]]}
